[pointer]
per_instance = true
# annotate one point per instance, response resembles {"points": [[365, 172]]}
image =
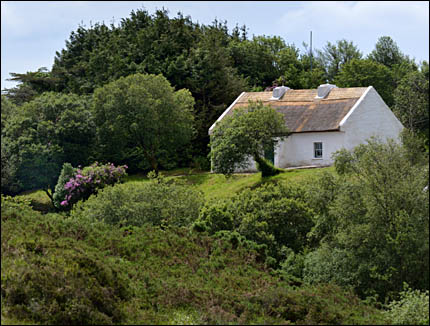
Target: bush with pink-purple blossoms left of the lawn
{"points": [[87, 181]]}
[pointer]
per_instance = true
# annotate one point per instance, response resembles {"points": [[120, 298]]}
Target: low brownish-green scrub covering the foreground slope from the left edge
{"points": [[58, 270]]}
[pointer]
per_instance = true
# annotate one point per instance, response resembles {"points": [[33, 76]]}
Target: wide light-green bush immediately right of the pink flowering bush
{"points": [[157, 202]]}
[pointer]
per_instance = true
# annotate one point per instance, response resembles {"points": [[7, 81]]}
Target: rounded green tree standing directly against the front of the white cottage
{"points": [[243, 135]]}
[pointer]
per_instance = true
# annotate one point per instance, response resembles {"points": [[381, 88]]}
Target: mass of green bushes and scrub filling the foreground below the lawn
{"points": [[272, 254]]}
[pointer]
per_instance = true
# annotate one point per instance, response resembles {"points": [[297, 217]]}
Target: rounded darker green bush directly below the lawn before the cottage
{"points": [[273, 215]]}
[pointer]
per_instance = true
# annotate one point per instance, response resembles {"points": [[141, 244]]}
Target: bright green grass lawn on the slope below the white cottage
{"points": [[213, 186]]}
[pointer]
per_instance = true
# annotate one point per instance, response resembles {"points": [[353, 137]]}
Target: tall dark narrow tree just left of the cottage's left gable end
{"points": [[213, 81]]}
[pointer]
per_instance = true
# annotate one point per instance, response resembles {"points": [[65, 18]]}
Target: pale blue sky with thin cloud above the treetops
{"points": [[31, 32]]}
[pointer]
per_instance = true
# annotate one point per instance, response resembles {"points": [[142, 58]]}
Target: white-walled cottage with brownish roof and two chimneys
{"points": [[323, 121]]}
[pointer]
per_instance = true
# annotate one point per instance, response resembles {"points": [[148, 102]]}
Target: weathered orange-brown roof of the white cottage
{"points": [[304, 113]]}
